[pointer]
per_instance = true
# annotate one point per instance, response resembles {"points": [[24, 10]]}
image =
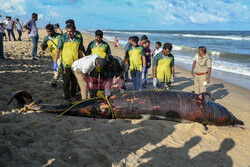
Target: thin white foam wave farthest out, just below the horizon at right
{"points": [[229, 37]]}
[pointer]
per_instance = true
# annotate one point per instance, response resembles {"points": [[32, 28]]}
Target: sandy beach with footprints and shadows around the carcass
{"points": [[79, 141]]}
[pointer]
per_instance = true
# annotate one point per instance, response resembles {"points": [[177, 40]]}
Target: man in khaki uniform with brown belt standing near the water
{"points": [[203, 67]]}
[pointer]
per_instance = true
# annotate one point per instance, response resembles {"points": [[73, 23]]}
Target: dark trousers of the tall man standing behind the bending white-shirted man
{"points": [[69, 80]]}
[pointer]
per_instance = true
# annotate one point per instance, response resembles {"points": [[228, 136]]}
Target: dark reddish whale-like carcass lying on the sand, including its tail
{"points": [[159, 104]]}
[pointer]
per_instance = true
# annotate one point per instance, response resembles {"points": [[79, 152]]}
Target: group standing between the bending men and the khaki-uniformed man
{"points": [[138, 60]]}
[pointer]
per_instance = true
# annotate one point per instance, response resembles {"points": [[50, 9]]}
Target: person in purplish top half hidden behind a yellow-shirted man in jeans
{"points": [[148, 62]]}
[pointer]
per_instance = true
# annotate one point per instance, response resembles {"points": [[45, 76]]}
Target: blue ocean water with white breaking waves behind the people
{"points": [[229, 50]]}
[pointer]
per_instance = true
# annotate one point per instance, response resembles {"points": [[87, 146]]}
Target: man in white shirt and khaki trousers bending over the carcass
{"points": [[82, 67]]}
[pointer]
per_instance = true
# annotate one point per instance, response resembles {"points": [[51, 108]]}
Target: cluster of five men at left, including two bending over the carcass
{"points": [[93, 69]]}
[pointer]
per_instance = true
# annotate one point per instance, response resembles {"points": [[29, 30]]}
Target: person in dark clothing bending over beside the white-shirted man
{"points": [[115, 68]]}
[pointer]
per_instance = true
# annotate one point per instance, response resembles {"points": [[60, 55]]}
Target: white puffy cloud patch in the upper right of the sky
{"points": [[201, 12]]}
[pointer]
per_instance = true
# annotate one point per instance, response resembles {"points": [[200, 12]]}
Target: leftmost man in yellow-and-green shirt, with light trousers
{"points": [[51, 42]]}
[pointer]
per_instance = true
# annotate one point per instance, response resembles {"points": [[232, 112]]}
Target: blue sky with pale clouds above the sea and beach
{"points": [[135, 14]]}
